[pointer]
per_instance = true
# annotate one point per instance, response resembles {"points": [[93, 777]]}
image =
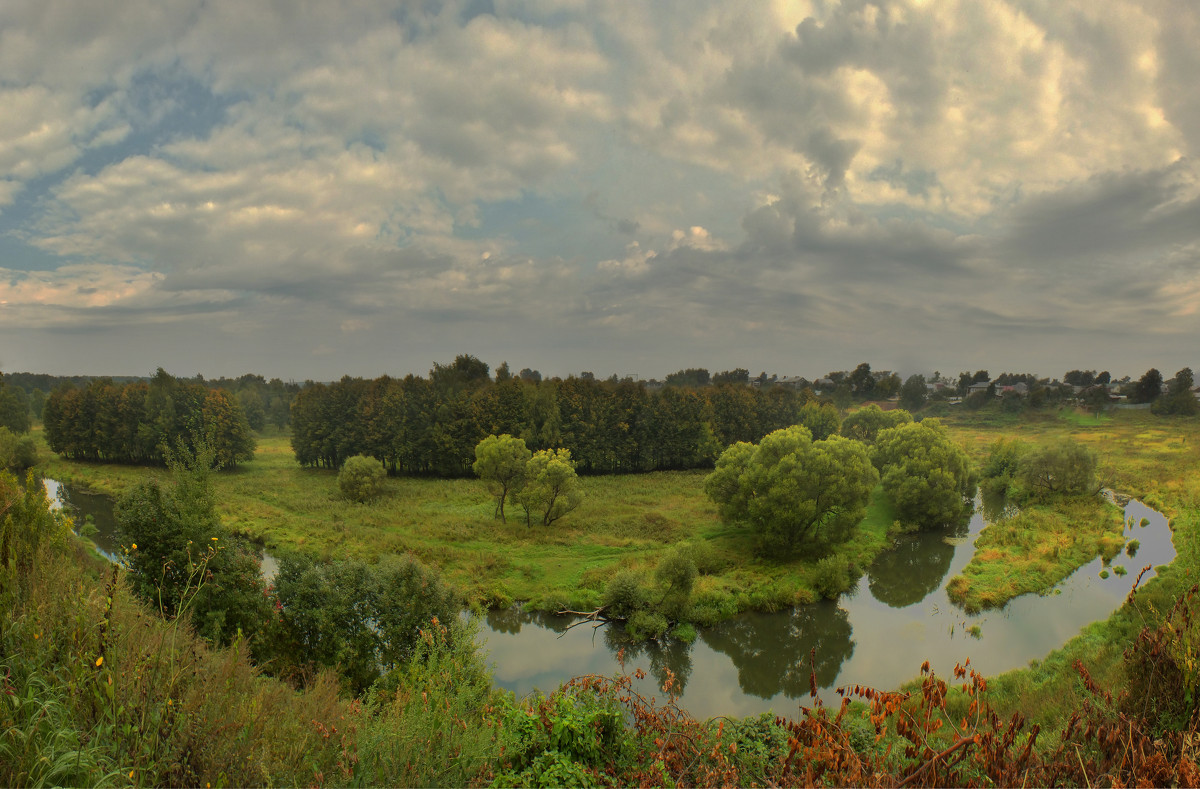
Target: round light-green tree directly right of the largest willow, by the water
{"points": [[928, 478]]}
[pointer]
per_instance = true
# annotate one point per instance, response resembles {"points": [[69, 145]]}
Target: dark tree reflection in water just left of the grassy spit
{"points": [[907, 574]]}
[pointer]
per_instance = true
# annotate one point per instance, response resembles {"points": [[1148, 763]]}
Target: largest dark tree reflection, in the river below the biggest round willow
{"points": [[771, 652]]}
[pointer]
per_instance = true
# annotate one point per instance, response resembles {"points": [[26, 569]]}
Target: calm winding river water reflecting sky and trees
{"points": [[878, 635]]}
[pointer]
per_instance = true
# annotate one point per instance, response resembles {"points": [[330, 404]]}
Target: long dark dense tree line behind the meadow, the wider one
{"points": [[431, 426]]}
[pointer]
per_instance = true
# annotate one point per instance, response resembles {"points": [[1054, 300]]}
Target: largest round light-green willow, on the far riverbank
{"points": [[791, 491]]}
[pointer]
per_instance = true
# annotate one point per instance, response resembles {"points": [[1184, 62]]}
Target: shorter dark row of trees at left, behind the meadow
{"points": [[137, 423]]}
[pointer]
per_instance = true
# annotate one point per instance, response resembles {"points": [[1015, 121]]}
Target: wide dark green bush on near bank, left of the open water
{"points": [[359, 618]]}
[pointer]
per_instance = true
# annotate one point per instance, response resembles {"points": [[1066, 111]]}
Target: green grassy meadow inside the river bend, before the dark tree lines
{"points": [[626, 522]]}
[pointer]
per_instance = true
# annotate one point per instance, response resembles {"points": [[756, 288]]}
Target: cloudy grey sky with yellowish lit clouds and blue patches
{"points": [[307, 189]]}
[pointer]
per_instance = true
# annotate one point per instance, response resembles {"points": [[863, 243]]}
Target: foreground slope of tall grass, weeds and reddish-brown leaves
{"points": [[101, 690]]}
